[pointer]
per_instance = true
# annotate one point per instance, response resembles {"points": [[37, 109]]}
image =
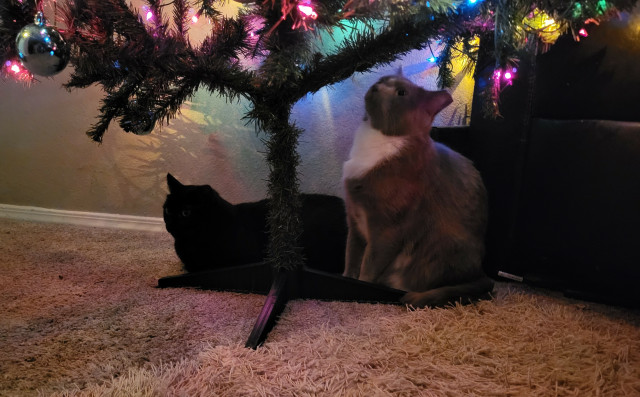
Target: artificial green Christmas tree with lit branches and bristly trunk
{"points": [[148, 67]]}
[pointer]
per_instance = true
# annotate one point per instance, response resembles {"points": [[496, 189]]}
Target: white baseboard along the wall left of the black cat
{"points": [[94, 219]]}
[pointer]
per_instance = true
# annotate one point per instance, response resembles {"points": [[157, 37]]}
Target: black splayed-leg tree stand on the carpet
{"points": [[280, 287]]}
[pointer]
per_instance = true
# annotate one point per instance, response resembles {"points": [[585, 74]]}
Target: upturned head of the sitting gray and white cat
{"points": [[396, 106]]}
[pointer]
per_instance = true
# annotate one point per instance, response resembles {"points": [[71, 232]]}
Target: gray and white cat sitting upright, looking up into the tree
{"points": [[416, 210]]}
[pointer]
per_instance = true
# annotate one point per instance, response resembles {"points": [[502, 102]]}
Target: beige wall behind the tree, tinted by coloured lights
{"points": [[46, 160]]}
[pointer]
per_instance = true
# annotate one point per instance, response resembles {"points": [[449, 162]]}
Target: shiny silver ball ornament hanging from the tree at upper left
{"points": [[41, 48]]}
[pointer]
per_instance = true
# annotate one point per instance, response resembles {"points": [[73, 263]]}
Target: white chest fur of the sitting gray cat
{"points": [[370, 147]]}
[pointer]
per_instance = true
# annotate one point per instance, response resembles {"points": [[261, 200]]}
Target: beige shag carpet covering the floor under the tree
{"points": [[80, 316]]}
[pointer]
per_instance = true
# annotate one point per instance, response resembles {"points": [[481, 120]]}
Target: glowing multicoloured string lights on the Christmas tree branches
{"points": [[547, 24]]}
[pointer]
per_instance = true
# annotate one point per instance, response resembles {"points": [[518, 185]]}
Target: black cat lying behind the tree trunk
{"points": [[210, 232]]}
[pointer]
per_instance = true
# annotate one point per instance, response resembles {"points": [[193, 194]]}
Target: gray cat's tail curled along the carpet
{"points": [[438, 297]]}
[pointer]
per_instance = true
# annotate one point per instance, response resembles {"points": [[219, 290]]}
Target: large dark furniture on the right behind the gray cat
{"points": [[562, 167]]}
